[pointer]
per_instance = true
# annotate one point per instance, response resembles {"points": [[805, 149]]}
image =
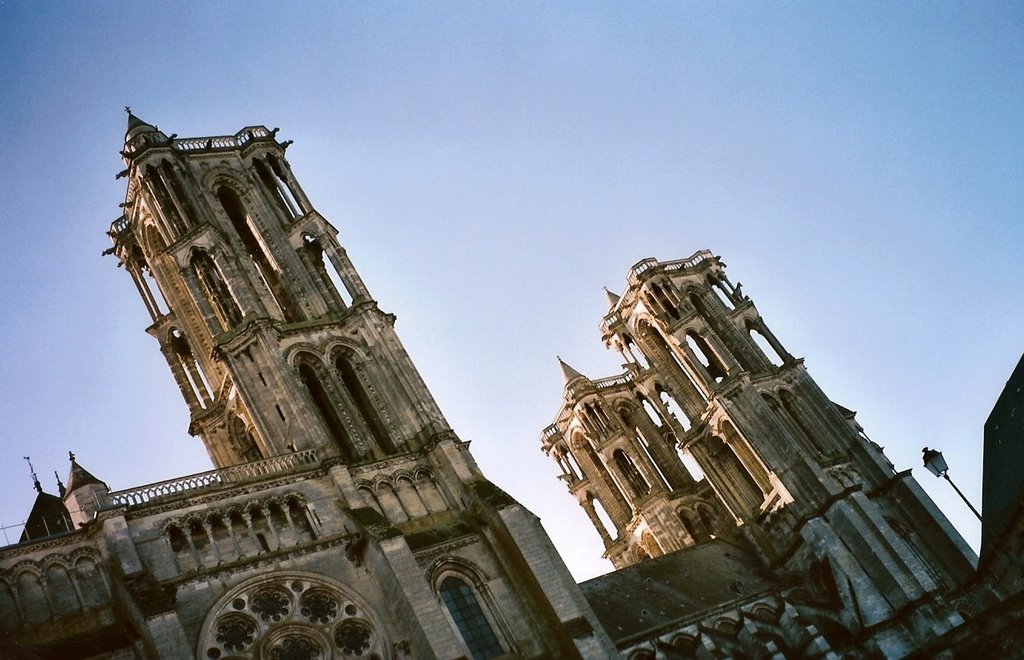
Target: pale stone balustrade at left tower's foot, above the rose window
{"points": [[215, 479]]}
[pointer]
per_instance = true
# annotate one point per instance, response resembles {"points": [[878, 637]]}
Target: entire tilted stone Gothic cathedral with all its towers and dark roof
{"points": [[746, 513]]}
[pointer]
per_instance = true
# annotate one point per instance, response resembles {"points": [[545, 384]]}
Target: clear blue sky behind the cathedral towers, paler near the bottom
{"points": [[492, 166]]}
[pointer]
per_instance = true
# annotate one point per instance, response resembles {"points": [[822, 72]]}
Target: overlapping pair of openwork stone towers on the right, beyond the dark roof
{"points": [[787, 473]]}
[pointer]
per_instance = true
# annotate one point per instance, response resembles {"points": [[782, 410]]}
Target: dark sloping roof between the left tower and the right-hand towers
{"points": [[676, 589]]}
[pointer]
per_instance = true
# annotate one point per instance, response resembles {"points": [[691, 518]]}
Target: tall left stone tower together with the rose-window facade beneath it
{"points": [[348, 517]]}
